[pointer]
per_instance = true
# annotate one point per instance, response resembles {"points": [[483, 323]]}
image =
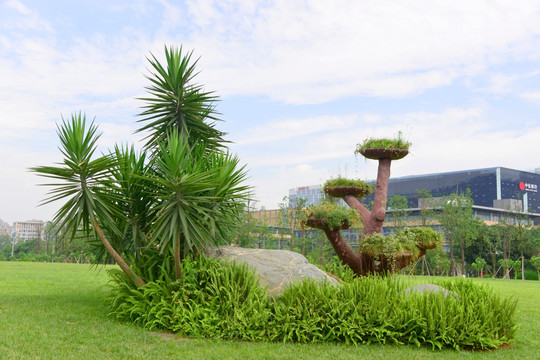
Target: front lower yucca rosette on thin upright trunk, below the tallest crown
{"points": [[198, 194]]}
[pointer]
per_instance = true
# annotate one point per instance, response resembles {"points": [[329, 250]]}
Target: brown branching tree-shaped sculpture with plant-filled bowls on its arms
{"points": [[376, 253]]}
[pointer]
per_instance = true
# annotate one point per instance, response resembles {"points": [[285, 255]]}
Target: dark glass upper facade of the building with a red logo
{"points": [[486, 186]]}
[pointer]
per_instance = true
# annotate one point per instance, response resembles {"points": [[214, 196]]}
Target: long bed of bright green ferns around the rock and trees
{"points": [[224, 301]]}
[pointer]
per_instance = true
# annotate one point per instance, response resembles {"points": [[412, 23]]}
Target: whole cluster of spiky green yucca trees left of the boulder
{"points": [[176, 197]]}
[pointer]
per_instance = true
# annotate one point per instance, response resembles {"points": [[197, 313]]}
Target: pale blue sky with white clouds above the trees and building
{"points": [[300, 83]]}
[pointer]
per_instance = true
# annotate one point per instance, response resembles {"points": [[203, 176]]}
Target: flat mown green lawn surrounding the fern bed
{"points": [[57, 311]]}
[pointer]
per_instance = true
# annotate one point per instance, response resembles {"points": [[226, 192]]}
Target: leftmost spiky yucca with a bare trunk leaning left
{"points": [[87, 185]]}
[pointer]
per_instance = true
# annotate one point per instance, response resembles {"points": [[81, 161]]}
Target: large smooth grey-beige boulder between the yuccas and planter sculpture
{"points": [[275, 268]]}
